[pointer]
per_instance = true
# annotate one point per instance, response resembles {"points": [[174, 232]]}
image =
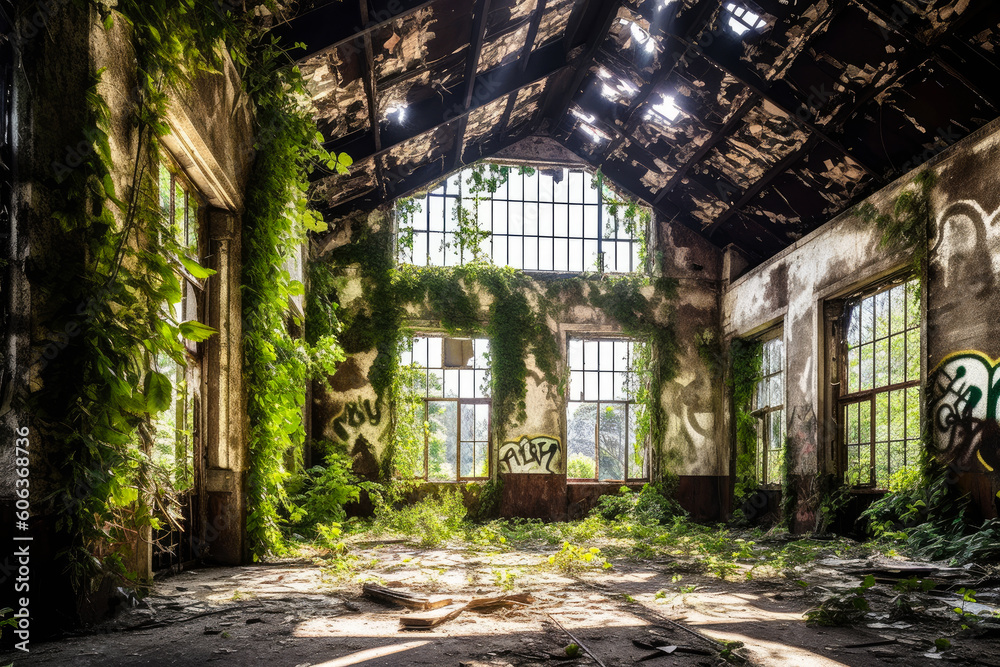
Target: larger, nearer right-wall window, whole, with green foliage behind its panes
{"points": [[880, 384]]}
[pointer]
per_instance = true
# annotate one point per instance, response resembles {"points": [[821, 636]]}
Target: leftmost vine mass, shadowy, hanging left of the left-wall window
{"points": [[109, 276]]}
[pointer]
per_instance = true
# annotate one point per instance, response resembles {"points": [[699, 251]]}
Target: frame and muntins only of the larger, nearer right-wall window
{"points": [[845, 398]]}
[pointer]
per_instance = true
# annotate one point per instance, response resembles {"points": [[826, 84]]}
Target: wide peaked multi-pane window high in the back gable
{"points": [[552, 220]]}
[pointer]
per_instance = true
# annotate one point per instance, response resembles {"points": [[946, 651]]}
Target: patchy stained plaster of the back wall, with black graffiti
{"points": [[344, 408]]}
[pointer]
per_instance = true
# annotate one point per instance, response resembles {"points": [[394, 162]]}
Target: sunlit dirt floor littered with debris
{"points": [[302, 614]]}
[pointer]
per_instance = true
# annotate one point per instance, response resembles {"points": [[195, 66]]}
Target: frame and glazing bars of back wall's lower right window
{"points": [[628, 404]]}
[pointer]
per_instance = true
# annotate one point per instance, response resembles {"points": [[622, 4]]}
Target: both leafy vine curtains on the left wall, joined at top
{"points": [[117, 272]]}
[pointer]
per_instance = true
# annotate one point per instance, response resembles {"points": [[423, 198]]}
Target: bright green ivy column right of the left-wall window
{"points": [[277, 366]]}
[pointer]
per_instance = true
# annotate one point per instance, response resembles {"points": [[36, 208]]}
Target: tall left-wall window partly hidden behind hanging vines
{"points": [[176, 428]]}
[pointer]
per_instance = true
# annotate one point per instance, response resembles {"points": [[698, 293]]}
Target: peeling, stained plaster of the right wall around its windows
{"points": [[961, 312]]}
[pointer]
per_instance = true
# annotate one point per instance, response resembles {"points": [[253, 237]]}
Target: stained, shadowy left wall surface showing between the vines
{"points": [[55, 67]]}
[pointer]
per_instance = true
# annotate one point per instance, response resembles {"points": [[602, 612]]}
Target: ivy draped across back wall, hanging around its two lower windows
{"points": [[516, 323]]}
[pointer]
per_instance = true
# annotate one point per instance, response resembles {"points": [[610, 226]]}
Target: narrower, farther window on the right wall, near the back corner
{"points": [[769, 409]]}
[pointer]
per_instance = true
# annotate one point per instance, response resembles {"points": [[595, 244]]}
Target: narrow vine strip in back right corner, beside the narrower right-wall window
{"points": [[746, 358]]}
